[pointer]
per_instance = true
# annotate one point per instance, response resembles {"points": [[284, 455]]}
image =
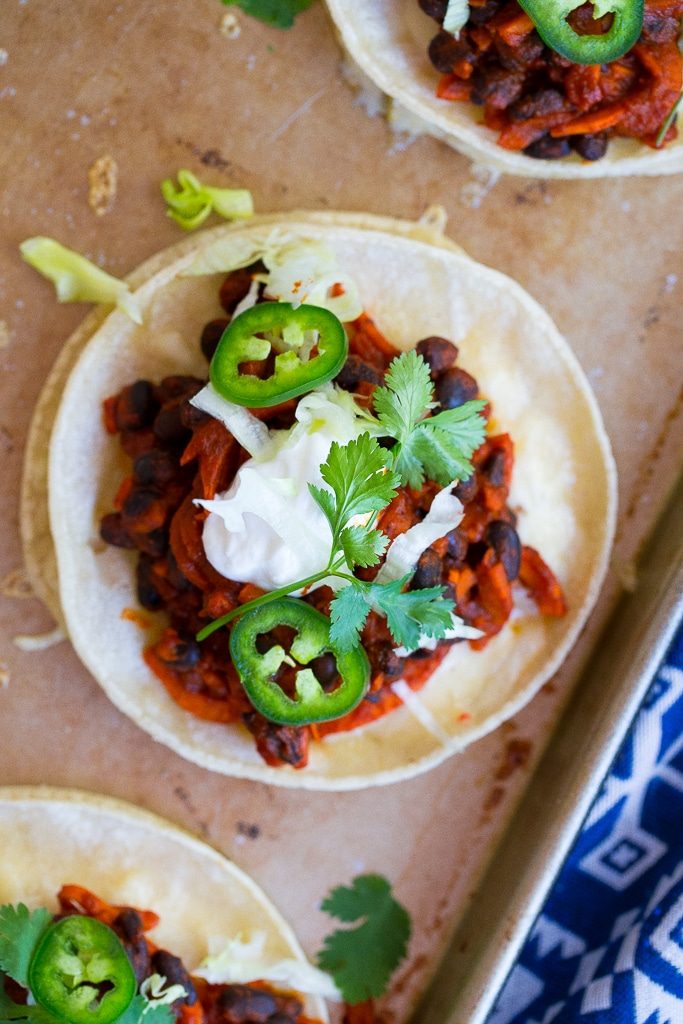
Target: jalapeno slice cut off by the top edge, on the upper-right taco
{"points": [[550, 18]]}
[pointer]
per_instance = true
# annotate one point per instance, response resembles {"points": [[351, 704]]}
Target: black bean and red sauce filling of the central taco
{"points": [[180, 454]]}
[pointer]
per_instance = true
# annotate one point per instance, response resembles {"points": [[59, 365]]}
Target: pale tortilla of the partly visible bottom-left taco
{"points": [[56, 837]]}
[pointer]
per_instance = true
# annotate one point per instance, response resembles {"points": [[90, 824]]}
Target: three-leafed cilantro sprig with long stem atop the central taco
{"points": [[362, 479]]}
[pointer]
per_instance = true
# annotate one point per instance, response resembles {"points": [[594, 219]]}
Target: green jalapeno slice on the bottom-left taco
{"points": [[80, 972]]}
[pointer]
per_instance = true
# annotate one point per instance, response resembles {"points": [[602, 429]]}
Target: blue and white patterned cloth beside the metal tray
{"points": [[609, 947]]}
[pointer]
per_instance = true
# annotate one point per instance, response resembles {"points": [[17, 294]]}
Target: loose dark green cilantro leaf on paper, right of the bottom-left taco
{"points": [[363, 959]]}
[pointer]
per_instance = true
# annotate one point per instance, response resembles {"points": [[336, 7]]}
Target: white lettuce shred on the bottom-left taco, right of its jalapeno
{"points": [[240, 961]]}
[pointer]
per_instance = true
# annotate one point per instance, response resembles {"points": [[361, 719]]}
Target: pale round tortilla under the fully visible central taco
{"points": [[564, 490]]}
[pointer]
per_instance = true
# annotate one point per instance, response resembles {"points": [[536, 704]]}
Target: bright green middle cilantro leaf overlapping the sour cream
{"points": [[361, 483]]}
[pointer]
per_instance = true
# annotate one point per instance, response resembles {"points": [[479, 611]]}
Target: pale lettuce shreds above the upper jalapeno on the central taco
{"points": [[298, 271]]}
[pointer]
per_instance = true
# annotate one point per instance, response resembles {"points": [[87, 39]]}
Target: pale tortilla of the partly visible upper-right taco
{"points": [[388, 40]]}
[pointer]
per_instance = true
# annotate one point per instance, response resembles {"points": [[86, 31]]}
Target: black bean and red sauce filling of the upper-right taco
{"points": [[542, 104]]}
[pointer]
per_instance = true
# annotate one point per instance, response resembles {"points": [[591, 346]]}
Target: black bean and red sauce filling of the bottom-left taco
{"points": [[203, 1003]]}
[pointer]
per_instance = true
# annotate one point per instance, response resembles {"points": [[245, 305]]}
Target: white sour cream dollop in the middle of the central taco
{"points": [[267, 529]]}
